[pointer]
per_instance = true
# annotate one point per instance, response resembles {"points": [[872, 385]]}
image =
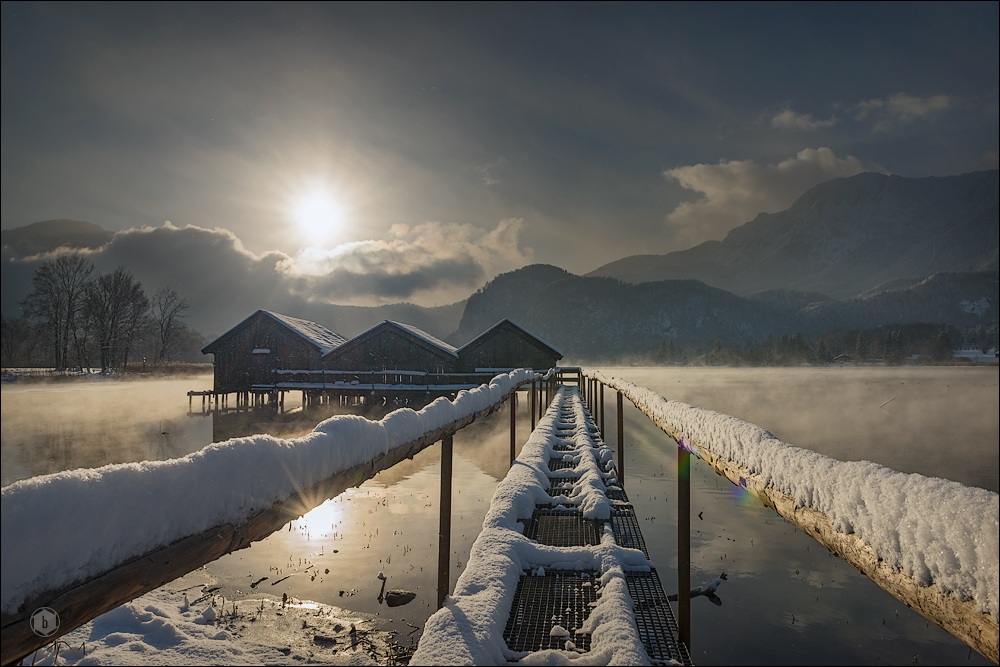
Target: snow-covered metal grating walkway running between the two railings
{"points": [[562, 534]]}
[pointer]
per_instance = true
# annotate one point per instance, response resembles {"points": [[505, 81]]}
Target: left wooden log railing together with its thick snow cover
{"points": [[113, 533]]}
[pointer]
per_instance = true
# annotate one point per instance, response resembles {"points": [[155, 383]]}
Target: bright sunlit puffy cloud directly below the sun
{"points": [[413, 260]]}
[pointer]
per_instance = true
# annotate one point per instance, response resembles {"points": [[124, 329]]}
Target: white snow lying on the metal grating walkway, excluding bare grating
{"points": [[469, 629]]}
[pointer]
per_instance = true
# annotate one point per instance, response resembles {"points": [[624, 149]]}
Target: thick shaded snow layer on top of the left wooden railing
{"points": [[97, 519]]}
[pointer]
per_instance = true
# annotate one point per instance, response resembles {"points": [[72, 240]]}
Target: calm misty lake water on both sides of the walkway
{"points": [[787, 600]]}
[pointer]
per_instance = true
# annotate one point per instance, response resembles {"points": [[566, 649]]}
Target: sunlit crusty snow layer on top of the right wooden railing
{"points": [[937, 531]]}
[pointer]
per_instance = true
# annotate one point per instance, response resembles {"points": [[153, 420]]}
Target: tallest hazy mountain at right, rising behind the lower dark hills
{"points": [[843, 237]]}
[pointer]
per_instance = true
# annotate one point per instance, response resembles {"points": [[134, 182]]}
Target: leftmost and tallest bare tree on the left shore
{"points": [[57, 299]]}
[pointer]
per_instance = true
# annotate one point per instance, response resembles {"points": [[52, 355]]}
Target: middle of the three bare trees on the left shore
{"points": [[115, 307]]}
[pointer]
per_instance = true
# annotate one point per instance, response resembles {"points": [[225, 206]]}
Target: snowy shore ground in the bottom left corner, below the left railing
{"points": [[186, 623]]}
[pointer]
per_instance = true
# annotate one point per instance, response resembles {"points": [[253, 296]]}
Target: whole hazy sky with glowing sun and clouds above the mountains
{"points": [[375, 153]]}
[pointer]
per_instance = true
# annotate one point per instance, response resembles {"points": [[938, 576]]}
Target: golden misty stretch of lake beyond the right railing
{"points": [[936, 421]]}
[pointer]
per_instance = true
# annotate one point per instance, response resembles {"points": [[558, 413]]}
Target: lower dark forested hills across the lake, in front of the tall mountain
{"points": [[600, 318]]}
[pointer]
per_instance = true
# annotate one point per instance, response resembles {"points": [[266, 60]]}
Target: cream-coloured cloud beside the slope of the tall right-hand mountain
{"points": [[735, 191]]}
